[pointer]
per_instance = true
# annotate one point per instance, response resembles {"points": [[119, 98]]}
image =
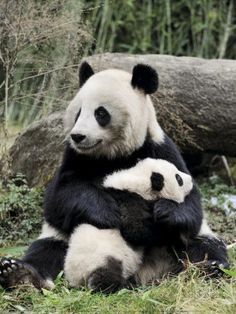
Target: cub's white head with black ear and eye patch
{"points": [[170, 183]]}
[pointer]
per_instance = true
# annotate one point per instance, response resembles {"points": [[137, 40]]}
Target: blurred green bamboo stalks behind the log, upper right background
{"points": [[203, 28]]}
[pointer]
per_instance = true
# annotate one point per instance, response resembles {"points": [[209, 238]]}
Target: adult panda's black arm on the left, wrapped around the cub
{"points": [[70, 202]]}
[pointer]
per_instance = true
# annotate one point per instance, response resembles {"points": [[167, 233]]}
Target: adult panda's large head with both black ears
{"points": [[112, 113]]}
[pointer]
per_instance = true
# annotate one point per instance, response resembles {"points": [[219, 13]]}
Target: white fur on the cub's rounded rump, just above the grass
{"points": [[89, 248]]}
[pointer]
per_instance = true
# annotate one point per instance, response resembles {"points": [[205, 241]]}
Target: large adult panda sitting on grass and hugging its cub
{"points": [[111, 124]]}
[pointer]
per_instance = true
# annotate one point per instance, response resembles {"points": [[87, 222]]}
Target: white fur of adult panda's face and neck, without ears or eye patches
{"points": [[132, 114]]}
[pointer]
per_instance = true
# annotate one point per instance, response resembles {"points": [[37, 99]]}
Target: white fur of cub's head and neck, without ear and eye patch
{"points": [[137, 179]]}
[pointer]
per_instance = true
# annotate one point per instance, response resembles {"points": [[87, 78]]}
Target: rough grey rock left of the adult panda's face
{"points": [[37, 152]]}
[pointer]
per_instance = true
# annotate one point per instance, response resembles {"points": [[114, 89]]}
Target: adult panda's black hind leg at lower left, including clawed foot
{"points": [[40, 266]]}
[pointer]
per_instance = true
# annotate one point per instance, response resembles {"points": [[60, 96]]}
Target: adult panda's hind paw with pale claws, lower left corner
{"points": [[14, 272]]}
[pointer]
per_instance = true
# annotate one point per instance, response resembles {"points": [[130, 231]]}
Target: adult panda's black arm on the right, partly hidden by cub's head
{"points": [[183, 218]]}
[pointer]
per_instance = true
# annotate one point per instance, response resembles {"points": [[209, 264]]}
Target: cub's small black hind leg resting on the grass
{"points": [[108, 279]]}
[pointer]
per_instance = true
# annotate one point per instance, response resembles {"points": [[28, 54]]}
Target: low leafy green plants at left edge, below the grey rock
{"points": [[20, 211]]}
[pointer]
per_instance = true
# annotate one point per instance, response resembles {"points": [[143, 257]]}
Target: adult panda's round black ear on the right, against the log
{"points": [[145, 78]]}
